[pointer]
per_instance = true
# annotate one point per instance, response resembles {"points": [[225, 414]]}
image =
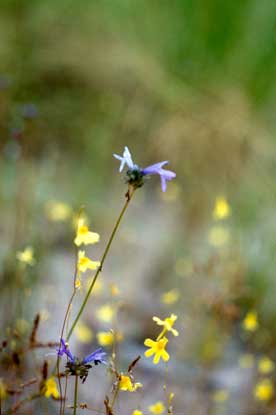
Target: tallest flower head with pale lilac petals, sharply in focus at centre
{"points": [[136, 175]]}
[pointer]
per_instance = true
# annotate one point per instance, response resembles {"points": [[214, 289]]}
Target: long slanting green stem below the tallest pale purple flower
{"points": [[128, 198]]}
